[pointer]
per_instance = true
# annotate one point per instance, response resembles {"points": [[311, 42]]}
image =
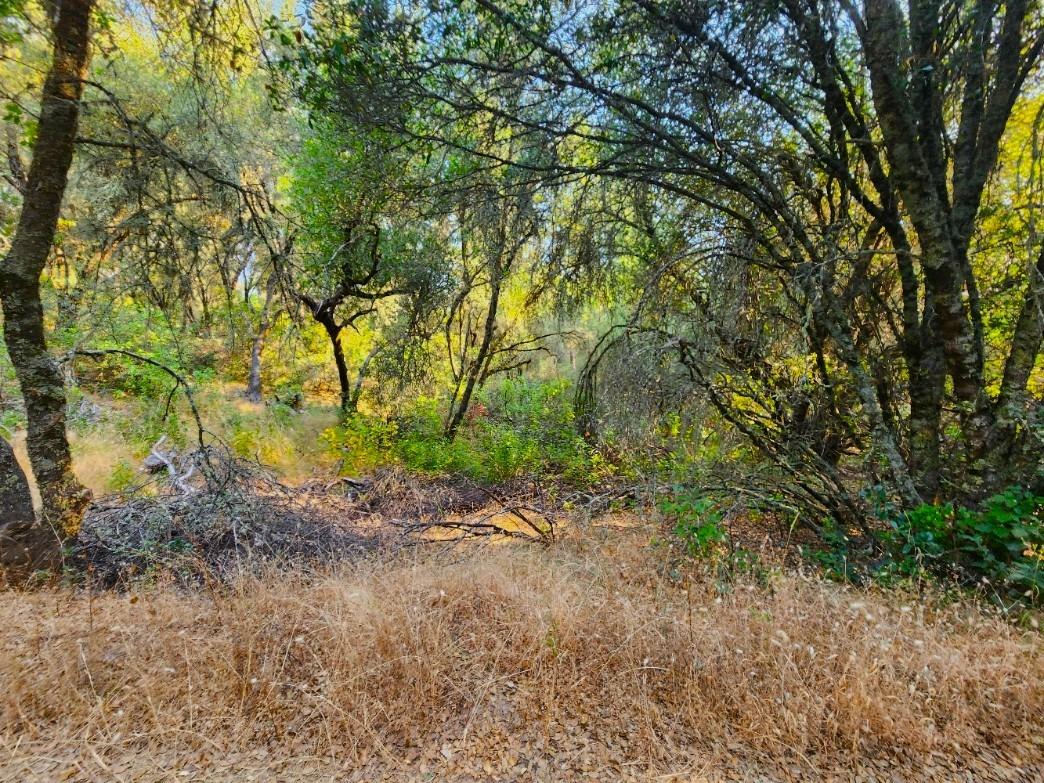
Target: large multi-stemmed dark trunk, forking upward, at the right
{"points": [[914, 140]]}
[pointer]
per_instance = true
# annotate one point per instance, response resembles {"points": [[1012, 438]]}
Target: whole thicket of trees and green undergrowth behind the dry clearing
{"points": [[771, 263]]}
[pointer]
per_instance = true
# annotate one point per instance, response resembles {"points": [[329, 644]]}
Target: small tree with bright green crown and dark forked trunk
{"points": [[367, 246]]}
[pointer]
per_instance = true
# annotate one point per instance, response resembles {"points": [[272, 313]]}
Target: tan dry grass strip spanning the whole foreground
{"points": [[506, 659]]}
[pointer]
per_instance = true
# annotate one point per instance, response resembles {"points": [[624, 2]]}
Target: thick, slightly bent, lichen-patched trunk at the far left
{"points": [[40, 378]]}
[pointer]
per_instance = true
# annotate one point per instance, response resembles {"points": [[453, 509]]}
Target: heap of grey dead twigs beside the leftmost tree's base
{"points": [[216, 516]]}
